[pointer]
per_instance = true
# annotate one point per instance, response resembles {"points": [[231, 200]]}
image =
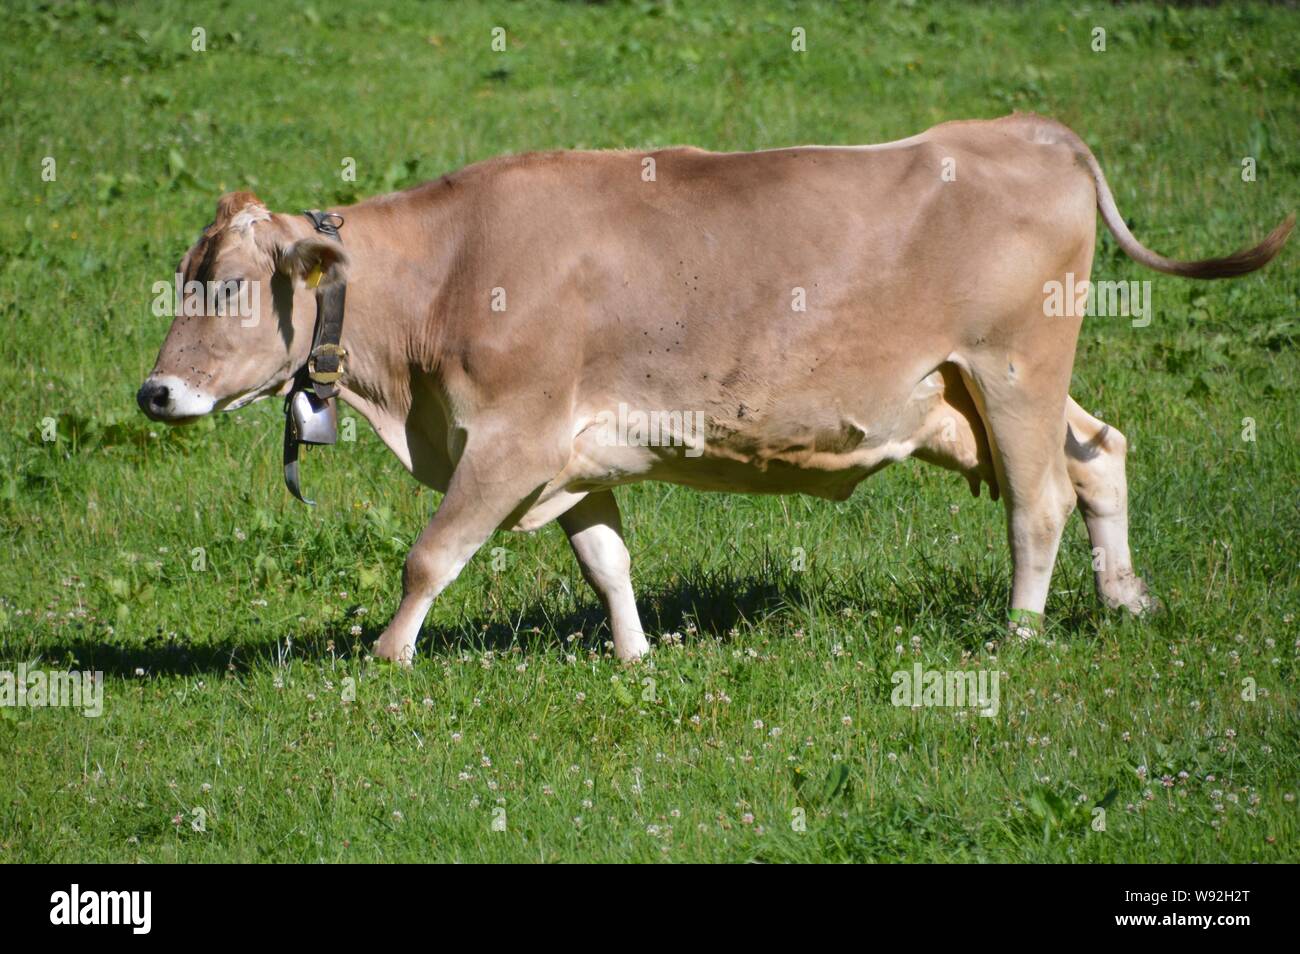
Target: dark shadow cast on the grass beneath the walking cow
{"points": [[700, 605]]}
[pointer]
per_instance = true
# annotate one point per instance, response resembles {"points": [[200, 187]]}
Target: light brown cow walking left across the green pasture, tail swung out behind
{"points": [[811, 315]]}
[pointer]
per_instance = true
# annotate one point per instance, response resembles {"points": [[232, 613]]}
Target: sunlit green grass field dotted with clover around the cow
{"points": [[761, 728]]}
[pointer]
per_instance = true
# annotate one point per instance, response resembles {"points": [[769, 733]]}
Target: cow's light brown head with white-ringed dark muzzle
{"points": [[244, 339]]}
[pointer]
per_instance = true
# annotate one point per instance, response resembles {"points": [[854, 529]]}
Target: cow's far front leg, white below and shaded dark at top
{"points": [[596, 534]]}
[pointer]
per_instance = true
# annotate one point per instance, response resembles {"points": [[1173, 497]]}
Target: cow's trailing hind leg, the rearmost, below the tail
{"points": [[1095, 458]]}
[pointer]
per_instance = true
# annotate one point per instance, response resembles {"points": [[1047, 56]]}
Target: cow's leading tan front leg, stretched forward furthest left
{"points": [[483, 496]]}
